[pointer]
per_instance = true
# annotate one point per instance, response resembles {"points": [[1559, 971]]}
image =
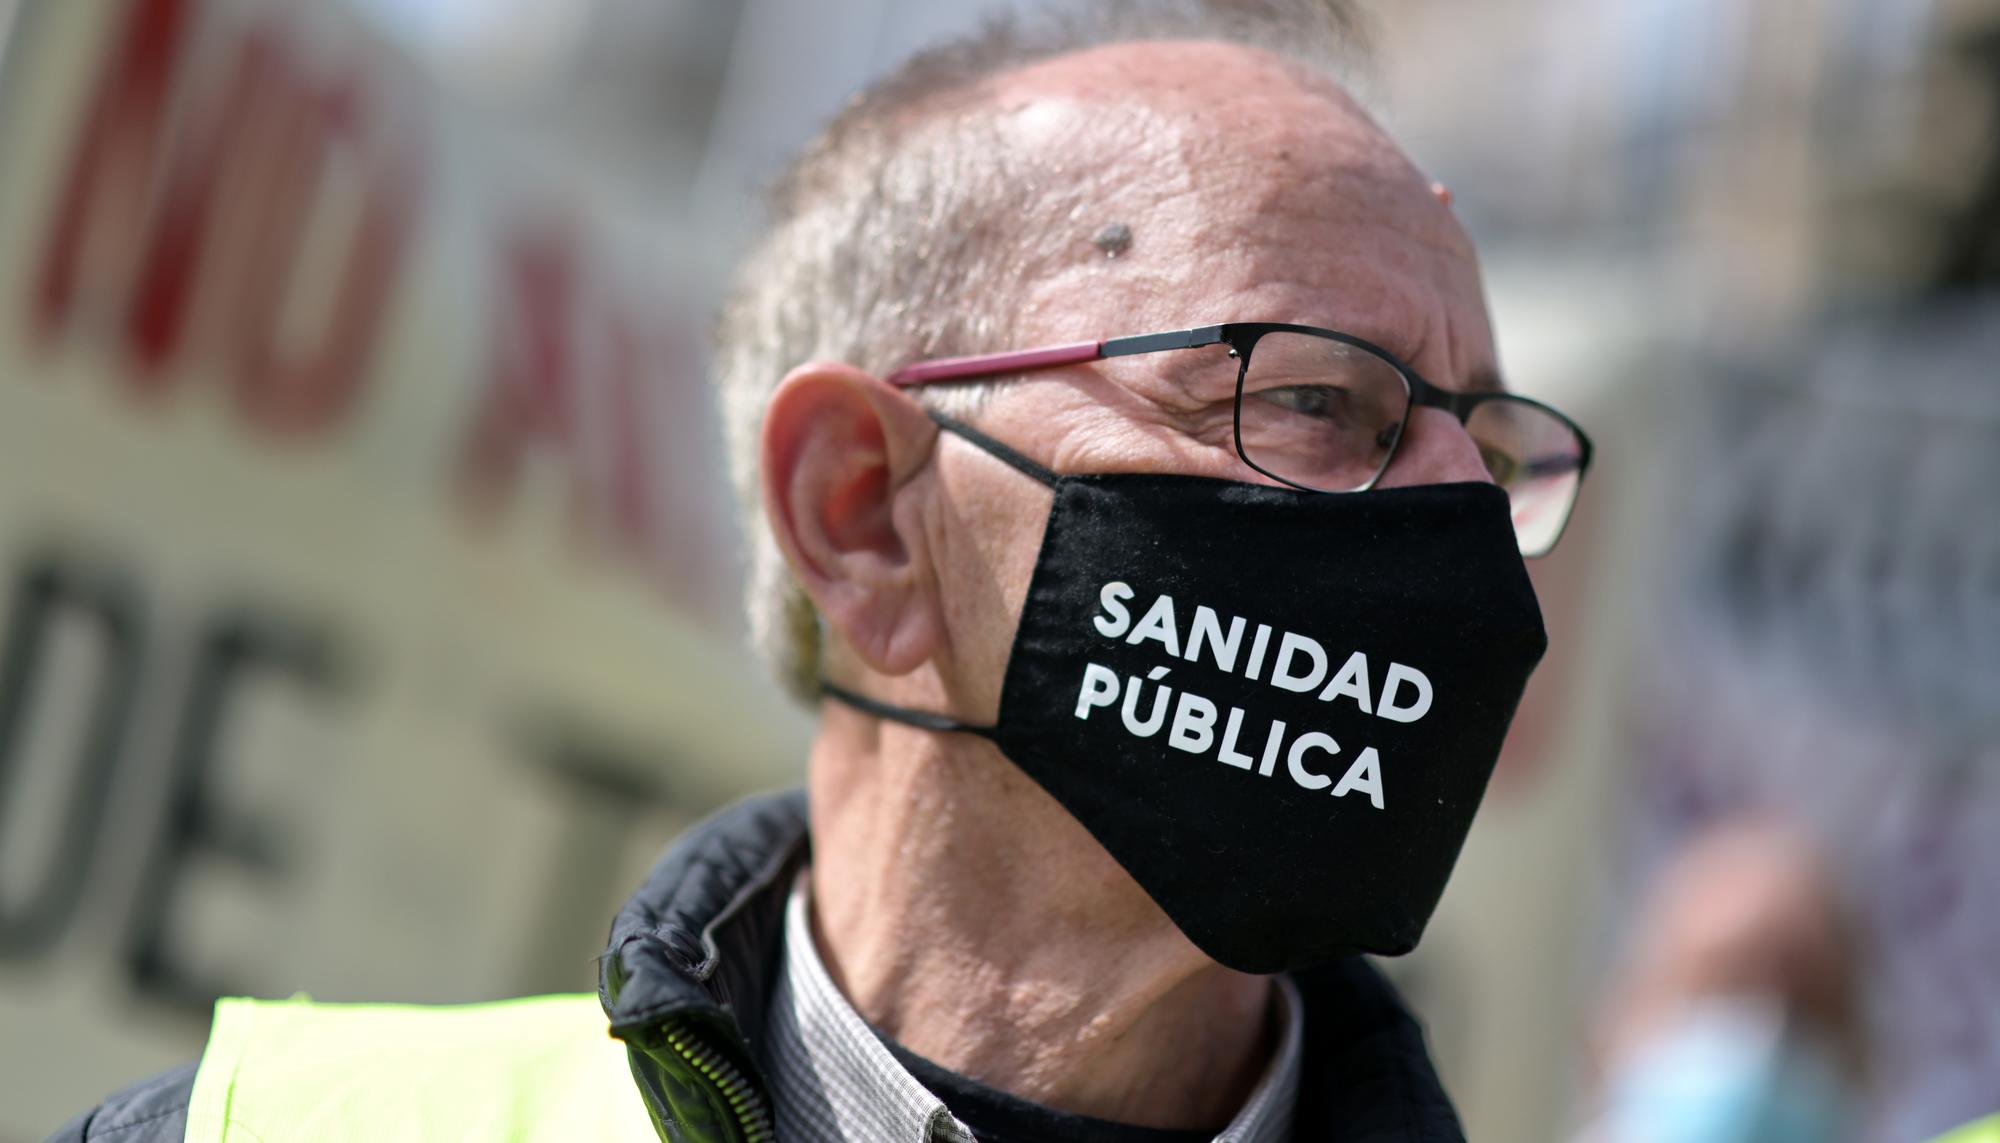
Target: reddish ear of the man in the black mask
{"points": [[837, 461]]}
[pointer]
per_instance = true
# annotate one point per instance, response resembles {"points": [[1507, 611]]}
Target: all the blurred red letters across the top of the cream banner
{"points": [[195, 225]]}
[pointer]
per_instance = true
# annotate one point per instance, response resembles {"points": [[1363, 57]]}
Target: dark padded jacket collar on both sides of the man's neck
{"points": [[703, 938]]}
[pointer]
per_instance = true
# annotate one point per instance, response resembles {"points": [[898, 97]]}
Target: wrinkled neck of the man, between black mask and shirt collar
{"points": [[977, 924]]}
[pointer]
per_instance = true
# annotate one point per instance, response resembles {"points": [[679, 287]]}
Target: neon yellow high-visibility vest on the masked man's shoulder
{"points": [[527, 1070]]}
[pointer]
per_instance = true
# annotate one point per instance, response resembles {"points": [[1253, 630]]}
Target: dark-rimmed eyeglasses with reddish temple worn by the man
{"points": [[1325, 413]]}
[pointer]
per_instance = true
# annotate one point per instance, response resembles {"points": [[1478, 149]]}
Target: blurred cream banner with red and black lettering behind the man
{"points": [[365, 555]]}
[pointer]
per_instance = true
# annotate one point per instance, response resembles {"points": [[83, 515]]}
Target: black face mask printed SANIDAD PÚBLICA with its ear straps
{"points": [[1275, 708]]}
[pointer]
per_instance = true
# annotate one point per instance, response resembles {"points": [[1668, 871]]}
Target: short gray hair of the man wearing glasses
{"points": [[901, 233]]}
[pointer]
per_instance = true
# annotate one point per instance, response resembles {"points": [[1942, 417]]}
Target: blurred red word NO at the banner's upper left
{"points": [[239, 191]]}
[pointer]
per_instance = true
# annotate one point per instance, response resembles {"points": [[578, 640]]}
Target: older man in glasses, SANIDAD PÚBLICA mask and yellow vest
{"points": [[1135, 497]]}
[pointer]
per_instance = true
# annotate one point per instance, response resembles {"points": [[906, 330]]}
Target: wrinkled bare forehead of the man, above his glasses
{"points": [[1253, 191]]}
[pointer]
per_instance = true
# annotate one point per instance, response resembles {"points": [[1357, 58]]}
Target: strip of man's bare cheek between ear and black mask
{"points": [[985, 541]]}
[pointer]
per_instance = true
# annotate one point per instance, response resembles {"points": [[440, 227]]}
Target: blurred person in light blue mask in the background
{"points": [[1735, 1016]]}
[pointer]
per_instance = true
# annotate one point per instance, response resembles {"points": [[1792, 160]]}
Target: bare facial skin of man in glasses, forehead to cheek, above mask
{"points": [[1251, 197]]}
